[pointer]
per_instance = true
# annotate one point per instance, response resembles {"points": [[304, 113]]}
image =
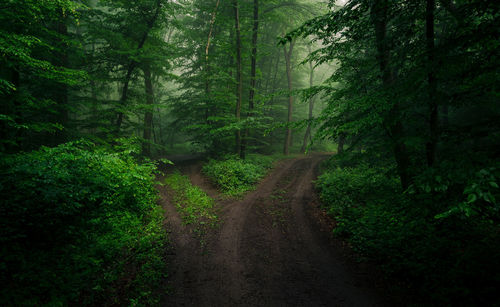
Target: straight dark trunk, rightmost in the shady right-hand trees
{"points": [[431, 145]]}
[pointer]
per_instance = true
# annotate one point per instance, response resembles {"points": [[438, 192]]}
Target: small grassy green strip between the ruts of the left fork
{"points": [[194, 205]]}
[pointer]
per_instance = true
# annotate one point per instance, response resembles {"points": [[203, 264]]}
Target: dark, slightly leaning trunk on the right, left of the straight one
{"points": [[379, 12]]}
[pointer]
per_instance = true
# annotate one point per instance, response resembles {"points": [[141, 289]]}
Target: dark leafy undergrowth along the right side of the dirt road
{"points": [[445, 260]]}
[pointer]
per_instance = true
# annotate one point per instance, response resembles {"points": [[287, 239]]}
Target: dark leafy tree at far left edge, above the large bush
{"points": [[35, 76]]}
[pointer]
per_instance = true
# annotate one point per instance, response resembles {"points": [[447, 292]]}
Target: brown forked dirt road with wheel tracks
{"points": [[273, 247]]}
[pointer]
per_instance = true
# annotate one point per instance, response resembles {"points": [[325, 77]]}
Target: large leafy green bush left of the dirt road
{"points": [[80, 226]]}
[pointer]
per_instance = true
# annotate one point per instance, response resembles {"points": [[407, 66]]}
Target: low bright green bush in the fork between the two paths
{"points": [[235, 176]]}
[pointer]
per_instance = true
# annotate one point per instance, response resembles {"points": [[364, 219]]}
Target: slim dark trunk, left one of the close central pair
{"points": [[239, 85]]}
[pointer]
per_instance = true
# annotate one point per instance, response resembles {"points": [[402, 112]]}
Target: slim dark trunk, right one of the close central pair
{"points": [[253, 72]]}
